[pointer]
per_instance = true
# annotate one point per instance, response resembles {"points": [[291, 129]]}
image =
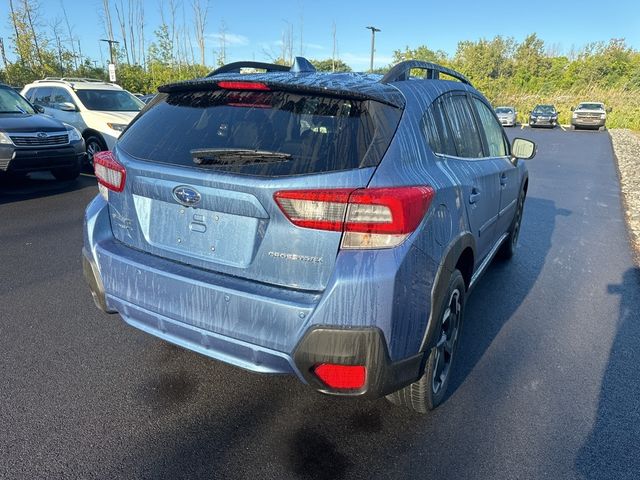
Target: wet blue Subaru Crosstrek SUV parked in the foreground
{"points": [[324, 225]]}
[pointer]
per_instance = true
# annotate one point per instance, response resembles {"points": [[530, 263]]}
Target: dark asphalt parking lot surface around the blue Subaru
{"points": [[547, 384]]}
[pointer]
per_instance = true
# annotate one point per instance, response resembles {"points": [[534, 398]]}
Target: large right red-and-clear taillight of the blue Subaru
{"points": [[369, 217]]}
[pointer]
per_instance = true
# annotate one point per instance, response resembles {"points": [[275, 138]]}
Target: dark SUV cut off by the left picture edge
{"points": [[30, 141]]}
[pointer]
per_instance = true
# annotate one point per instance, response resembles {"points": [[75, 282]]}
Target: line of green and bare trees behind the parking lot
{"points": [[506, 70]]}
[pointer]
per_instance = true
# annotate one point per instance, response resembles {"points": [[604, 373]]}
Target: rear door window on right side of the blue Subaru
{"points": [[466, 135]]}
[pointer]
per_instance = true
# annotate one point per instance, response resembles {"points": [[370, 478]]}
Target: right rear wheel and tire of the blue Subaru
{"points": [[430, 389]]}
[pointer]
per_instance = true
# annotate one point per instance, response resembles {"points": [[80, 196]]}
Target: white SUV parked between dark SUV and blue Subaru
{"points": [[99, 110]]}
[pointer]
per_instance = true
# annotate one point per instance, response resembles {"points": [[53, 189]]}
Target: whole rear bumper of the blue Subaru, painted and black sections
{"points": [[264, 329]]}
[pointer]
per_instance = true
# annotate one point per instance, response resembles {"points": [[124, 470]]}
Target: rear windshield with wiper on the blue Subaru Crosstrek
{"points": [[290, 133]]}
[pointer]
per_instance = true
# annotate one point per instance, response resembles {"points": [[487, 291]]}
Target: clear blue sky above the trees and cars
{"points": [[254, 28]]}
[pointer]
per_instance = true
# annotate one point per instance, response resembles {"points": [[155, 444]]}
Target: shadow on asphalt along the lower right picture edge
{"points": [[612, 449]]}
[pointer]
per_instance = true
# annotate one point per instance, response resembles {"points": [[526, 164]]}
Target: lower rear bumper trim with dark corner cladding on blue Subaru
{"points": [[363, 346]]}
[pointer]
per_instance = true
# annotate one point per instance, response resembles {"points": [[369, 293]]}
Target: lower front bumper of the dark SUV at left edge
{"points": [[14, 159]]}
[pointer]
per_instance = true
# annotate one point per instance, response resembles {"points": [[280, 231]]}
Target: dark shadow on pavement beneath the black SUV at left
{"points": [[38, 185]]}
